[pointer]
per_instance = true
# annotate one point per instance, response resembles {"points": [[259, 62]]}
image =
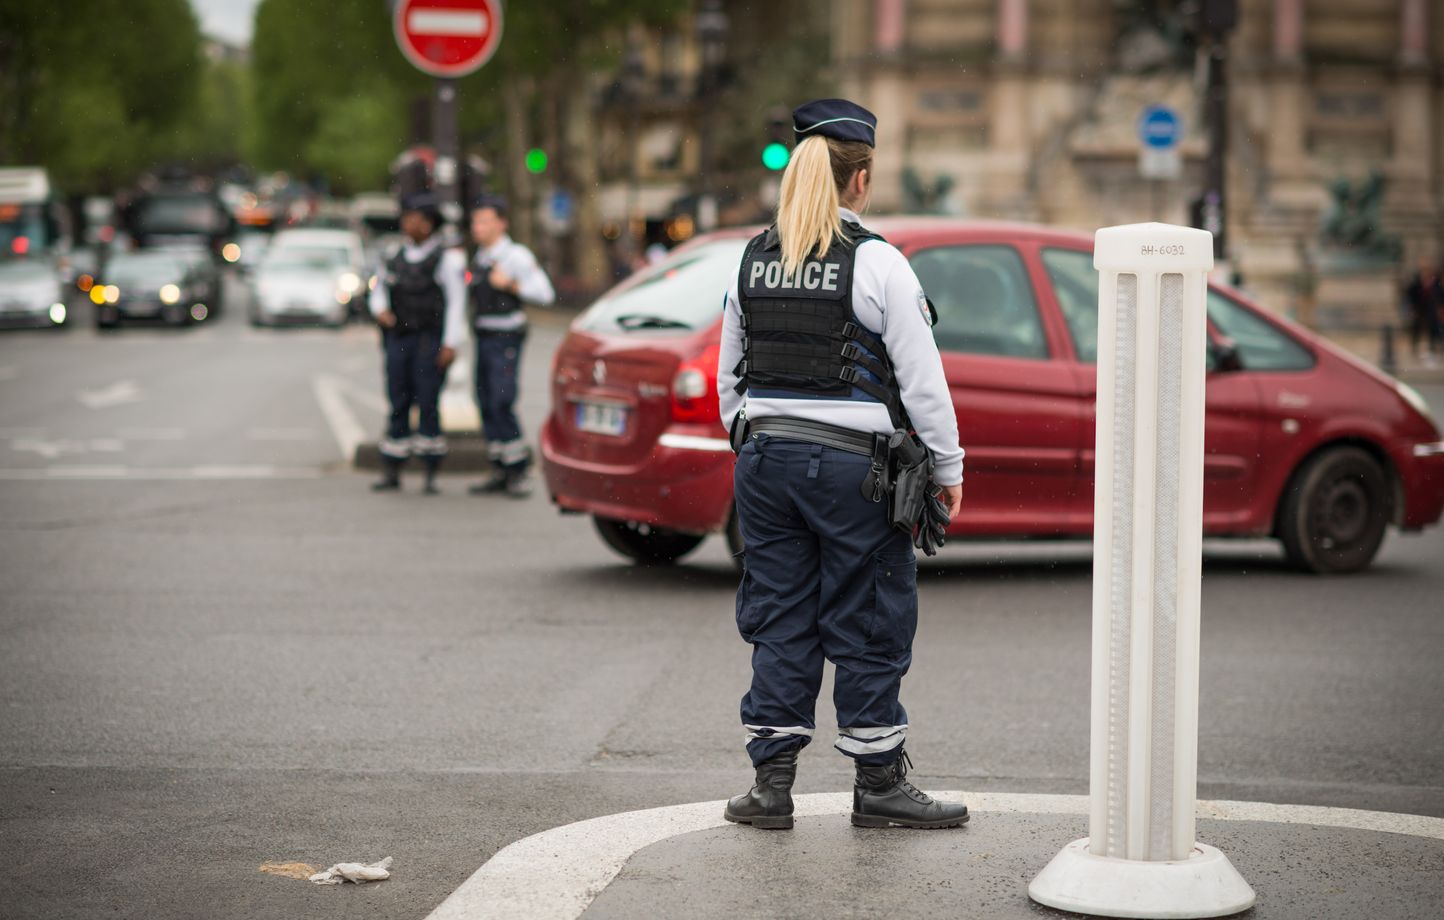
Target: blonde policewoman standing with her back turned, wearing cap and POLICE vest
{"points": [[828, 339]]}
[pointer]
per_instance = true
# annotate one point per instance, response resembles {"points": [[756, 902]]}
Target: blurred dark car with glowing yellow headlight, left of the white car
{"points": [[149, 285]]}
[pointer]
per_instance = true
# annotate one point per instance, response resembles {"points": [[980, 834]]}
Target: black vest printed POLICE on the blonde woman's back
{"points": [[799, 333]]}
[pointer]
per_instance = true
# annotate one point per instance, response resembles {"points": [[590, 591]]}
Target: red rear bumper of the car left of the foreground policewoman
{"points": [[685, 483]]}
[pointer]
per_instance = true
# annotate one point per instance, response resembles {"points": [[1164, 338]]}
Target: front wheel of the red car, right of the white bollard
{"points": [[1335, 512]]}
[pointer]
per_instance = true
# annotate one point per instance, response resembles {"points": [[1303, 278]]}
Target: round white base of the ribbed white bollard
{"points": [[1204, 886]]}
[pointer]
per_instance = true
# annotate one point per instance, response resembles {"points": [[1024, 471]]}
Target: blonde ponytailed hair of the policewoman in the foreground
{"points": [[808, 219]]}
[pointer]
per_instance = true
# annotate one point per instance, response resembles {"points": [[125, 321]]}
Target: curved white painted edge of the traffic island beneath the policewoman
{"points": [[558, 873]]}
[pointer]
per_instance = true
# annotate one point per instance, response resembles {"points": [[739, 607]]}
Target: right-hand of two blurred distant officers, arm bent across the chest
{"points": [[505, 277]]}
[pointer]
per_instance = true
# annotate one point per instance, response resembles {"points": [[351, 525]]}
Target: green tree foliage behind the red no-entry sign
{"points": [[334, 96]]}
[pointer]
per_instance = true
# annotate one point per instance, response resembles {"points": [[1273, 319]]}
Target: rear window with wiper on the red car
{"points": [[682, 292]]}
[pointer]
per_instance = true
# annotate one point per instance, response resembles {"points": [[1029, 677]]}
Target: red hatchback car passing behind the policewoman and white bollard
{"points": [[1303, 443]]}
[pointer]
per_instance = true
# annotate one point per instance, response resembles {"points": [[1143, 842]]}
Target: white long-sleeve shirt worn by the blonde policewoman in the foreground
{"points": [[889, 301]]}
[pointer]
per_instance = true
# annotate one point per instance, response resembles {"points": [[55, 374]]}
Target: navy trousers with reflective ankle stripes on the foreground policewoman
{"points": [[827, 580]]}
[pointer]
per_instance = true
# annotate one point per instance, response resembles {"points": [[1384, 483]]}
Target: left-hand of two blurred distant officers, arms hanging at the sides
{"points": [[421, 307]]}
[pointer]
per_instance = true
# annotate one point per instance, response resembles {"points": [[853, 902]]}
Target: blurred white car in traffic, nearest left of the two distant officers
{"points": [[310, 277]]}
